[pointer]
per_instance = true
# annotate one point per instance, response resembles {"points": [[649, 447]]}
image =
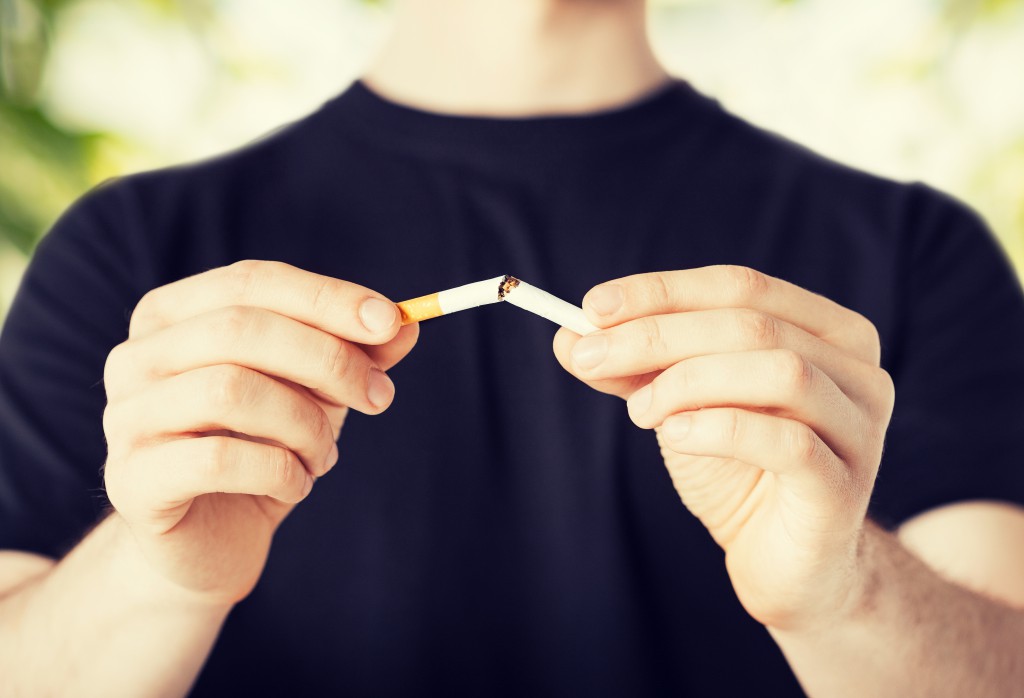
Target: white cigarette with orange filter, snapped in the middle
{"points": [[496, 290]]}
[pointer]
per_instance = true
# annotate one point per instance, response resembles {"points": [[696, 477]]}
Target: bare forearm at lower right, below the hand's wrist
{"points": [[910, 633]]}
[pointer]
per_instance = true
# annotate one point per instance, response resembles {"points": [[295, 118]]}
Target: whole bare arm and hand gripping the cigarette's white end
{"points": [[771, 409]]}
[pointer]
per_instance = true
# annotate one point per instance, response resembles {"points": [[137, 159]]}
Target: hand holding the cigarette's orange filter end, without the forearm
{"points": [[226, 404]]}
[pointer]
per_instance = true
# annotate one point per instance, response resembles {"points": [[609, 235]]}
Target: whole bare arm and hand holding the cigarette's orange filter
{"points": [[225, 405]]}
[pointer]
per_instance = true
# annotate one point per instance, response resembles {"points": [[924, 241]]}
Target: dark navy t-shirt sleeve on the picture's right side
{"points": [[958, 363]]}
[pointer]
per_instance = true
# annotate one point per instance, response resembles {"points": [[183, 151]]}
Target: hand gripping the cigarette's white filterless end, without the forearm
{"points": [[771, 410]]}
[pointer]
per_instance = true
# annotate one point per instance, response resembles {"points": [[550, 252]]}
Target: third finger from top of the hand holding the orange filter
{"points": [[227, 398]]}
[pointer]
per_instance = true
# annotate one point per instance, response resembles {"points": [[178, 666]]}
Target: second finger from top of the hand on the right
{"points": [[657, 342]]}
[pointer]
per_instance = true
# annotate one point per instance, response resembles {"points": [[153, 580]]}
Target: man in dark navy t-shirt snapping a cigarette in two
{"points": [[502, 529]]}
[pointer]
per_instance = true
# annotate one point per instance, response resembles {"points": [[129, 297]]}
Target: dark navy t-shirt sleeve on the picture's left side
{"points": [[71, 310]]}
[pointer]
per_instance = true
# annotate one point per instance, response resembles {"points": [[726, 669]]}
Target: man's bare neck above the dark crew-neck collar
{"points": [[517, 58]]}
